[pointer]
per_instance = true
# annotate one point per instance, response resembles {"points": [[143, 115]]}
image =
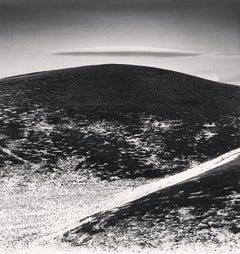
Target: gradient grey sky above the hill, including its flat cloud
{"points": [[199, 37]]}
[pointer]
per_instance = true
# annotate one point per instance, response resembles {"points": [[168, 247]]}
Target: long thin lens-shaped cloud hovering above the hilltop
{"points": [[125, 52]]}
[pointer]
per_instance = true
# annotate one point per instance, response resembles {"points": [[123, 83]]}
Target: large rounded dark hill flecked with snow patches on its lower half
{"points": [[115, 120]]}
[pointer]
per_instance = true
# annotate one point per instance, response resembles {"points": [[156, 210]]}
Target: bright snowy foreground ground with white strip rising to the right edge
{"points": [[37, 215]]}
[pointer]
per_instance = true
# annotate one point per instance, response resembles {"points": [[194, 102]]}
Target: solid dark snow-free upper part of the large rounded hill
{"points": [[129, 88]]}
